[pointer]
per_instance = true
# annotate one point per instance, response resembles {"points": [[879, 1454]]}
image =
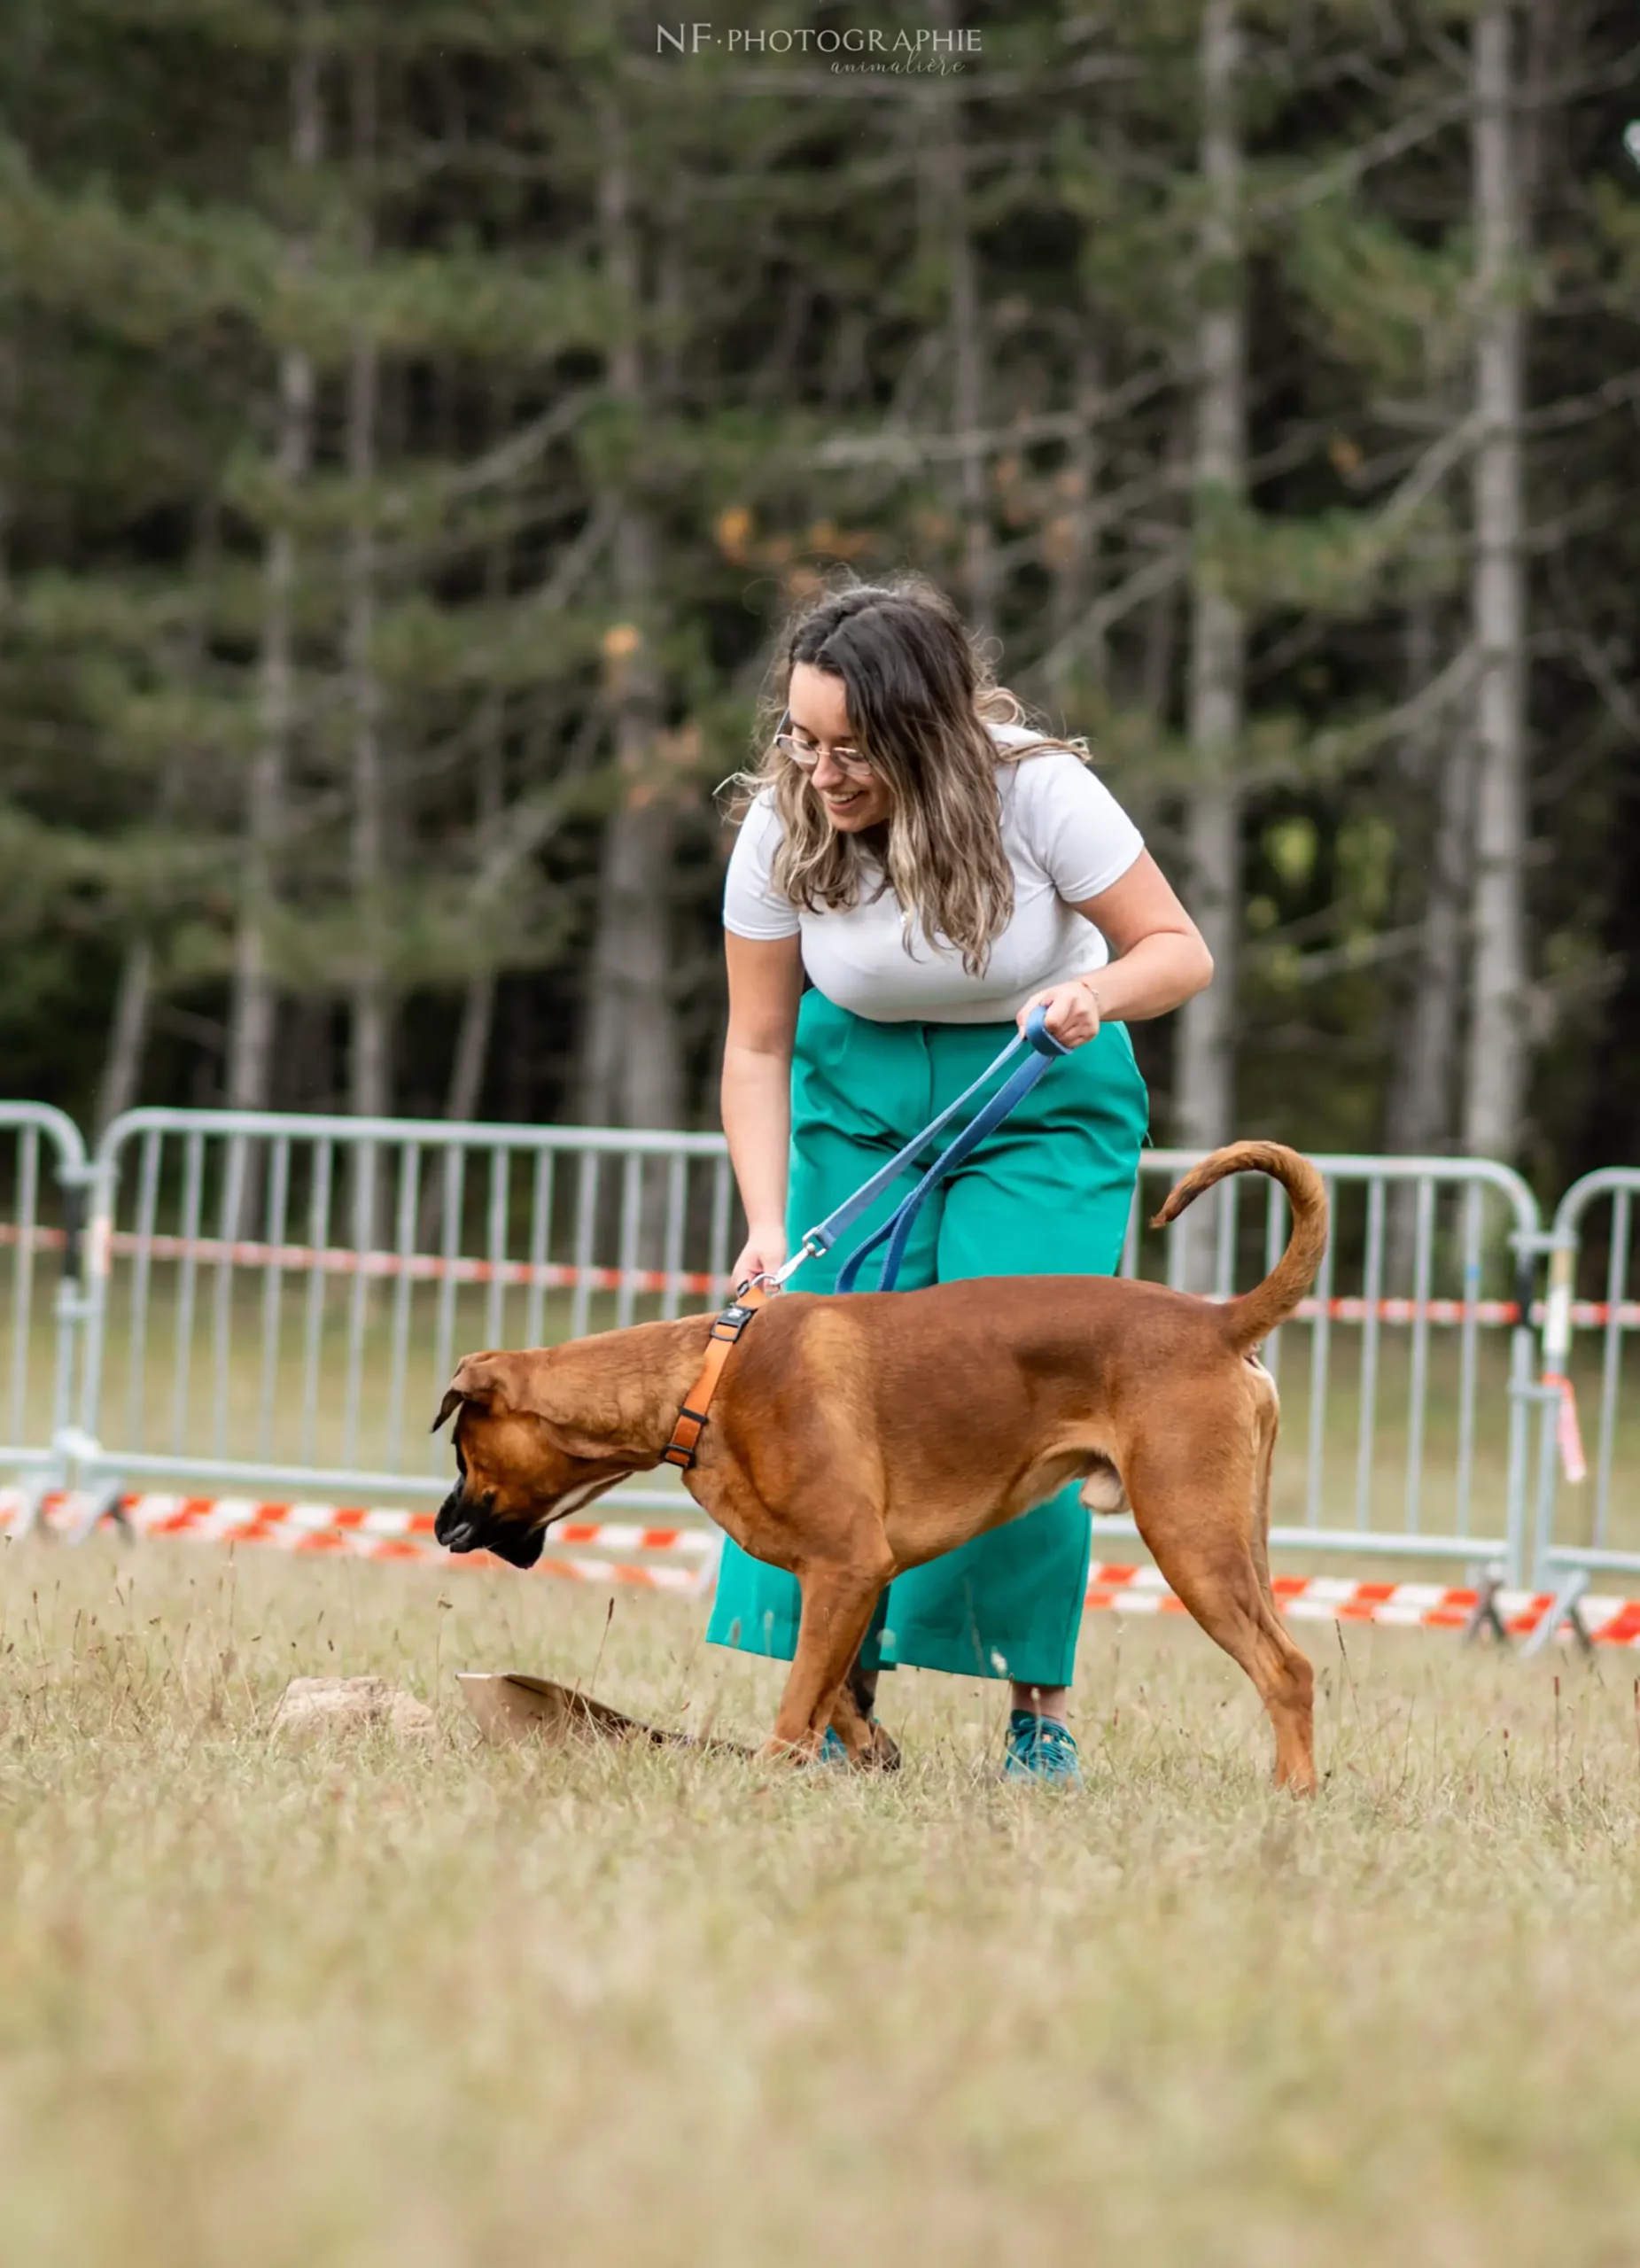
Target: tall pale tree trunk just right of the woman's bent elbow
{"points": [[1212, 822]]}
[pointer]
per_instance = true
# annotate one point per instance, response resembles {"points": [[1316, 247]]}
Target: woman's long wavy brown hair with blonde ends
{"points": [[920, 702]]}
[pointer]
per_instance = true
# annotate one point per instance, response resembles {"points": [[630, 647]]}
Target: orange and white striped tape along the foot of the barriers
{"points": [[684, 1559]]}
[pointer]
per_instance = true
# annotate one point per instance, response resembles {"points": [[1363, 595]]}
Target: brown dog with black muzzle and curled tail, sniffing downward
{"points": [[859, 1437]]}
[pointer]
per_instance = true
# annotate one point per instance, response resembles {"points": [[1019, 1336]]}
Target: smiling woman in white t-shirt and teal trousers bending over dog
{"points": [[938, 870]]}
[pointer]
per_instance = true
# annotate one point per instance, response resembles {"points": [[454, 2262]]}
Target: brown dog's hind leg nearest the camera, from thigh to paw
{"points": [[1201, 1518]]}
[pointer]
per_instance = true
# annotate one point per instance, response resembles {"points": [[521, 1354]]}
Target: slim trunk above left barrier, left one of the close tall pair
{"points": [[253, 1004]]}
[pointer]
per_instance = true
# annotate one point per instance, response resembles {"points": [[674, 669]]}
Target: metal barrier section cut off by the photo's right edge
{"points": [[1600, 1269]]}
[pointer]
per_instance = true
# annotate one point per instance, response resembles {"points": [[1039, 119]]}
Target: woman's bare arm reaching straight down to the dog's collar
{"points": [[766, 985]]}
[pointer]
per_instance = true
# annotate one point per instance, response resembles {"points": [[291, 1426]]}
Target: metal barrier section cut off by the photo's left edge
{"points": [[42, 1196]]}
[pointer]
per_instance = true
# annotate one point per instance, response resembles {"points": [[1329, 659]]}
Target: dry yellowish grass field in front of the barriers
{"points": [[375, 2006]]}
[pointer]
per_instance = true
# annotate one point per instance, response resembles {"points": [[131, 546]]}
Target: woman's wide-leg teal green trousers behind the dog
{"points": [[1047, 1194]]}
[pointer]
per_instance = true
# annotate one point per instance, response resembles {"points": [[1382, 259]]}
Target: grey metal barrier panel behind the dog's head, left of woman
{"points": [[280, 1298]]}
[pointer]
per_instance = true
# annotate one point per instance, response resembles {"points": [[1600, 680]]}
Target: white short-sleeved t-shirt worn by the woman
{"points": [[1065, 836]]}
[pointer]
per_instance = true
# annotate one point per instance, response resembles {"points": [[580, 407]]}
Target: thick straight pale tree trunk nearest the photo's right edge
{"points": [[1496, 1072]]}
